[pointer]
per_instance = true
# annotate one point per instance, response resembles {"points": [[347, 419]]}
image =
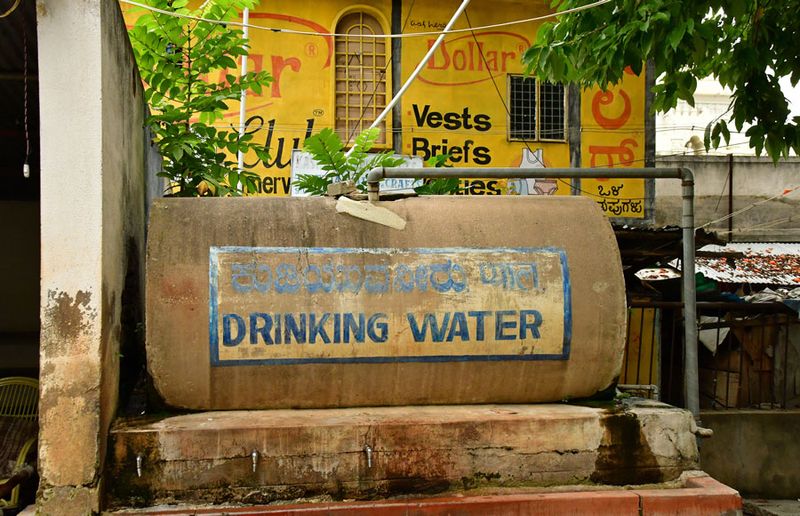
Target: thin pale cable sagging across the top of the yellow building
{"points": [[376, 36]]}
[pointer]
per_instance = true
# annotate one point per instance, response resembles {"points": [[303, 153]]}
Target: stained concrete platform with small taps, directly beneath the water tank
{"points": [[208, 457]]}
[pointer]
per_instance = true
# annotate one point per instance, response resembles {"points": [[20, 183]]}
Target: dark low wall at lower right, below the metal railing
{"points": [[754, 451]]}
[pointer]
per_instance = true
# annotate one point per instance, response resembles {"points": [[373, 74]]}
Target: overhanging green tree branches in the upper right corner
{"points": [[748, 45]]}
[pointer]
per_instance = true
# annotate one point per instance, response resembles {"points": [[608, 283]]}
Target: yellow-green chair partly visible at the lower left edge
{"points": [[19, 404]]}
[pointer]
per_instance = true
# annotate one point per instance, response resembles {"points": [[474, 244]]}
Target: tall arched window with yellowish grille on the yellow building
{"points": [[360, 76]]}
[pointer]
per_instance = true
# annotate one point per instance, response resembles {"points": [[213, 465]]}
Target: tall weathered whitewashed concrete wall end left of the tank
{"points": [[94, 154]]}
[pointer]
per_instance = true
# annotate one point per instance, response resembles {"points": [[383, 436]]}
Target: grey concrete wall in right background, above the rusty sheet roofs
{"points": [[756, 182]]}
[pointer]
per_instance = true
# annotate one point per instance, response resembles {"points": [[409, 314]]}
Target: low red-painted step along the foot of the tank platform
{"points": [[695, 494]]}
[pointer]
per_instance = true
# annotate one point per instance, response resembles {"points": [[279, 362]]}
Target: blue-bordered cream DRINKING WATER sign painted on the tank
{"points": [[292, 305]]}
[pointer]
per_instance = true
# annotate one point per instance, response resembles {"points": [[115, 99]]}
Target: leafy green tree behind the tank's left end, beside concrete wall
{"points": [[190, 72]]}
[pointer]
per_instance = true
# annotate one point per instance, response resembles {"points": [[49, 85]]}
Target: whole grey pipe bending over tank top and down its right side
{"points": [[691, 381]]}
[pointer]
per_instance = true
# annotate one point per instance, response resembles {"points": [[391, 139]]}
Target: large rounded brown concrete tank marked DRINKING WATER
{"points": [[262, 303]]}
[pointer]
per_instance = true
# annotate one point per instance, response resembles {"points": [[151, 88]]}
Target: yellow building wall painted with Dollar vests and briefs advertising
{"points": [[458, 104]]}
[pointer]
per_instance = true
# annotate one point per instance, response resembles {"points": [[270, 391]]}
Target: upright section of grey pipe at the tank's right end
{"points": [[691, 371]]}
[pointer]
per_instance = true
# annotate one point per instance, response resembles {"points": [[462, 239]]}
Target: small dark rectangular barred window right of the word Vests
{"points": [[537, 110]]}
